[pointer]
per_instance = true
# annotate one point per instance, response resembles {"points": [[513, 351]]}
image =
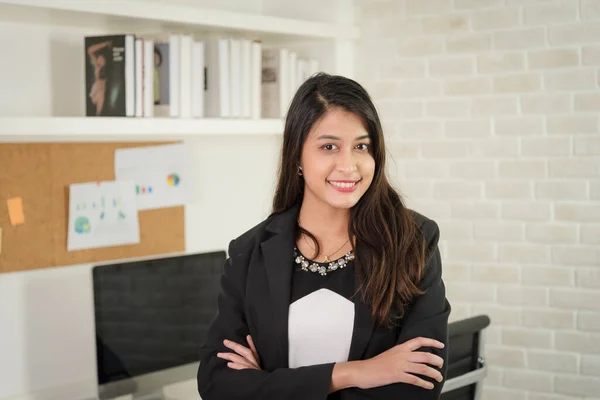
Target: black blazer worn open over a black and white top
{"points": [[254, 299]]}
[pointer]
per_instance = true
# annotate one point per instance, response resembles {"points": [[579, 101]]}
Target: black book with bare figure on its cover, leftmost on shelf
{"points": [[110, 75]]}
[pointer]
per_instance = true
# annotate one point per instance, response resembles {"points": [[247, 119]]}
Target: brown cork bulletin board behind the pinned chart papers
{"points": [[40, 173]]}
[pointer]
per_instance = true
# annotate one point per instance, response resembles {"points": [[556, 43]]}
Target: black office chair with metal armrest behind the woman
{"points": [[466, 362]]}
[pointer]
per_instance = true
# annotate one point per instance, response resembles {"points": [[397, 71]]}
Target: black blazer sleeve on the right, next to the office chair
{"points": [[427, 317]]}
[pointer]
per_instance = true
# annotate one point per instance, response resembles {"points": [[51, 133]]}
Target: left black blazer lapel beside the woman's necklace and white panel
{"points": [[278, 252]]}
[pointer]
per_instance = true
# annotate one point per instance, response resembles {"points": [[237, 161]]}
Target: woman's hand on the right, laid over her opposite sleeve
{"points": [[400, 363]]}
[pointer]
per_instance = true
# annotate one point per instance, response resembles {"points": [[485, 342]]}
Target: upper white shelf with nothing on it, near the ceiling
{"points": [[177, 16]]}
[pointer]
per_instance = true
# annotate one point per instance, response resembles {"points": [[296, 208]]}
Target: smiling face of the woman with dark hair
{"points": [[336, 160]]}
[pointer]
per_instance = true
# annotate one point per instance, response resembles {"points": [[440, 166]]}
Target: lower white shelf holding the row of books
{"points": [[116, 129]]}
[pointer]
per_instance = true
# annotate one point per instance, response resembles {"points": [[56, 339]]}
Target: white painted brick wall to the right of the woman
{"points": [[492, 114]]}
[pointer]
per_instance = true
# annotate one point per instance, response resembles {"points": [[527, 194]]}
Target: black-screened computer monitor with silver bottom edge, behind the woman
{"points": [[152, 317]]}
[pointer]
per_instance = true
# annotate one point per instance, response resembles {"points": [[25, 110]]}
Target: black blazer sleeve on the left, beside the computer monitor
{"points": [[216, 381]]}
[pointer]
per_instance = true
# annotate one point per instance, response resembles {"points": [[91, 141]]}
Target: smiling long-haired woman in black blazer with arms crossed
{"points": [[338, 294]]}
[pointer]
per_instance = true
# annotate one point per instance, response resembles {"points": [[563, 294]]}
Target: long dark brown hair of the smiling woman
{"points": [[391, 251]]}
